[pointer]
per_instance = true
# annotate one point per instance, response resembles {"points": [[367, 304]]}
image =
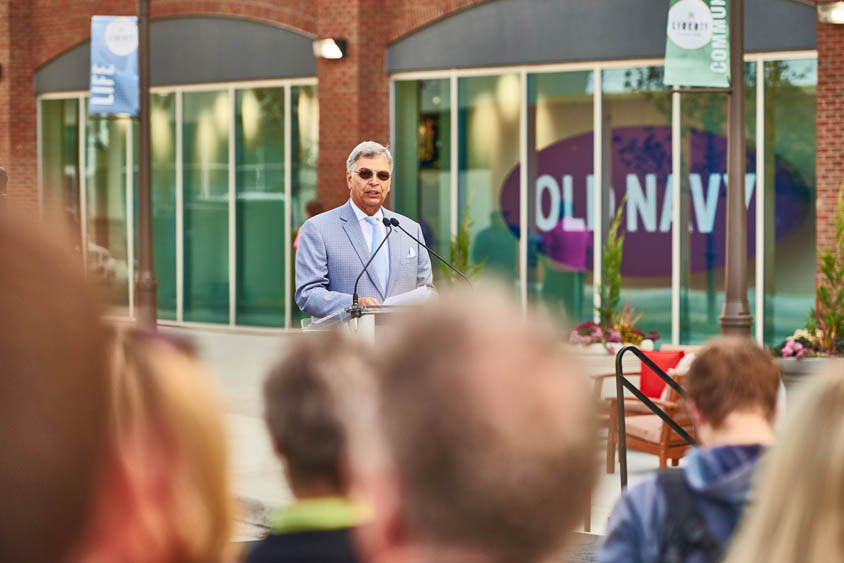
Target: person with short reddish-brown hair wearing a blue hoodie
{"points": [[689, 514]]}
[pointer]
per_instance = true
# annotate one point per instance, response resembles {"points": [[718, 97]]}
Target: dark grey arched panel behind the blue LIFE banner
{"points": [[191, 50]]}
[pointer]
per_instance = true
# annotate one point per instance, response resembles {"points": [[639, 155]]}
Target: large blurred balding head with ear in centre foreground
{"points": [[487, 450]]}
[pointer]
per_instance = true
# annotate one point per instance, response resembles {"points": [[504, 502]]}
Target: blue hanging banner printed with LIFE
{"points": [[114, 66]]}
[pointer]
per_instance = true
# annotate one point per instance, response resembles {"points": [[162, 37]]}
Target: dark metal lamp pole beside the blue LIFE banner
{"points": [[145, 282]]}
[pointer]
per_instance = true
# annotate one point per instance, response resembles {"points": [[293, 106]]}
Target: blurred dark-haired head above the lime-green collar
{"points": [[305, 408]]}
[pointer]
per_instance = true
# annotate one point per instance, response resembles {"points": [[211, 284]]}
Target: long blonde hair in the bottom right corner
{"points": [[798, 516]]}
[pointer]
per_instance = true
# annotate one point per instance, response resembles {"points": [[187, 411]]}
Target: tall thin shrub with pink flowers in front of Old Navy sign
{"points": [[617, 324]]}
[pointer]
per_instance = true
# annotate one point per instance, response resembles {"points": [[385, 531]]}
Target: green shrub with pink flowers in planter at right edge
{"points": [[823, 335]]}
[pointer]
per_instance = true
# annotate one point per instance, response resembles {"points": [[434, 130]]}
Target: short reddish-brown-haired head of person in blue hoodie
{"points": [[732, 392]]}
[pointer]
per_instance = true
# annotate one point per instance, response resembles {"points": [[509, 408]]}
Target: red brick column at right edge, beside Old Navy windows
{"points": [[830, 116]]}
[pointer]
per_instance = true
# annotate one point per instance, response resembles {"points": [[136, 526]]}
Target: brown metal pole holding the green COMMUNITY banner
{"points": [[735, 317]]}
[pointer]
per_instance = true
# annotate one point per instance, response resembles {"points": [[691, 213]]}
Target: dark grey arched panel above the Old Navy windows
{"points": [[512, 32]]}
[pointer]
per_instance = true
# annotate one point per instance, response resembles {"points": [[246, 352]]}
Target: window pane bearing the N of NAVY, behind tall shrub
{"points": [[637, 160]]}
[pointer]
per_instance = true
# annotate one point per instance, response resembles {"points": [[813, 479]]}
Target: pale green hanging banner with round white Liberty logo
{"points": [[697, 48]]}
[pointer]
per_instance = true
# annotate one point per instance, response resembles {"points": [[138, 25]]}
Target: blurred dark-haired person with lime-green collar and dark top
{"points": [[306, 404]]}
